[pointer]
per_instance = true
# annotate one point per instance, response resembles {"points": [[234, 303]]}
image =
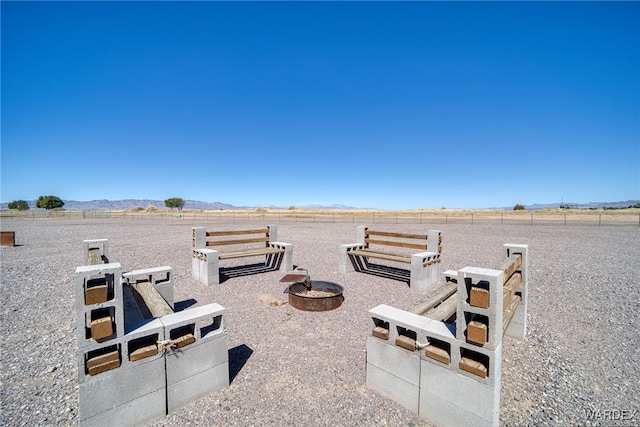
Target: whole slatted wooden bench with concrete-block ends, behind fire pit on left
{"points": [[241, 243]]}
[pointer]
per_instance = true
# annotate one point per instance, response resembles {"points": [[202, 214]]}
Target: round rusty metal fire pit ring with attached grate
{"points": [[312, 295]]}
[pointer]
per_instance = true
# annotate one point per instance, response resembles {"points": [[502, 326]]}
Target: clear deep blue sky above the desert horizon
{"points": [[367, 104]]}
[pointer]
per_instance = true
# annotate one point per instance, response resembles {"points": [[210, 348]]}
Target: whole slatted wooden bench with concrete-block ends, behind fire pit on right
{"points": [[424, 265]]}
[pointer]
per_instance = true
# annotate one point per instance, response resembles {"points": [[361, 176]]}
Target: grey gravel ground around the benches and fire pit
{"points": [[290, 367]]}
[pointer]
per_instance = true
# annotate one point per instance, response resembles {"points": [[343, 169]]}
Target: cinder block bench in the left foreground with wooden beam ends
{"points": [[130, 339]]}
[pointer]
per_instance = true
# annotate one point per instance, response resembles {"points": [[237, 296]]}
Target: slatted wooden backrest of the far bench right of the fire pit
{"points": [[424, 242]]}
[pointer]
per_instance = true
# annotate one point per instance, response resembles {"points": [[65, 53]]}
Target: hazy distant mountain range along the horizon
{"points": [[127, 204]]}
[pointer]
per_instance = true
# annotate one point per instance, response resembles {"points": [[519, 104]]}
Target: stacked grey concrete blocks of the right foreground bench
{"points": [[456, 381]]}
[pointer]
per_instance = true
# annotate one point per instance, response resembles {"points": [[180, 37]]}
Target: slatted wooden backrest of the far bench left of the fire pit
{"points": [[203, 238]]}
